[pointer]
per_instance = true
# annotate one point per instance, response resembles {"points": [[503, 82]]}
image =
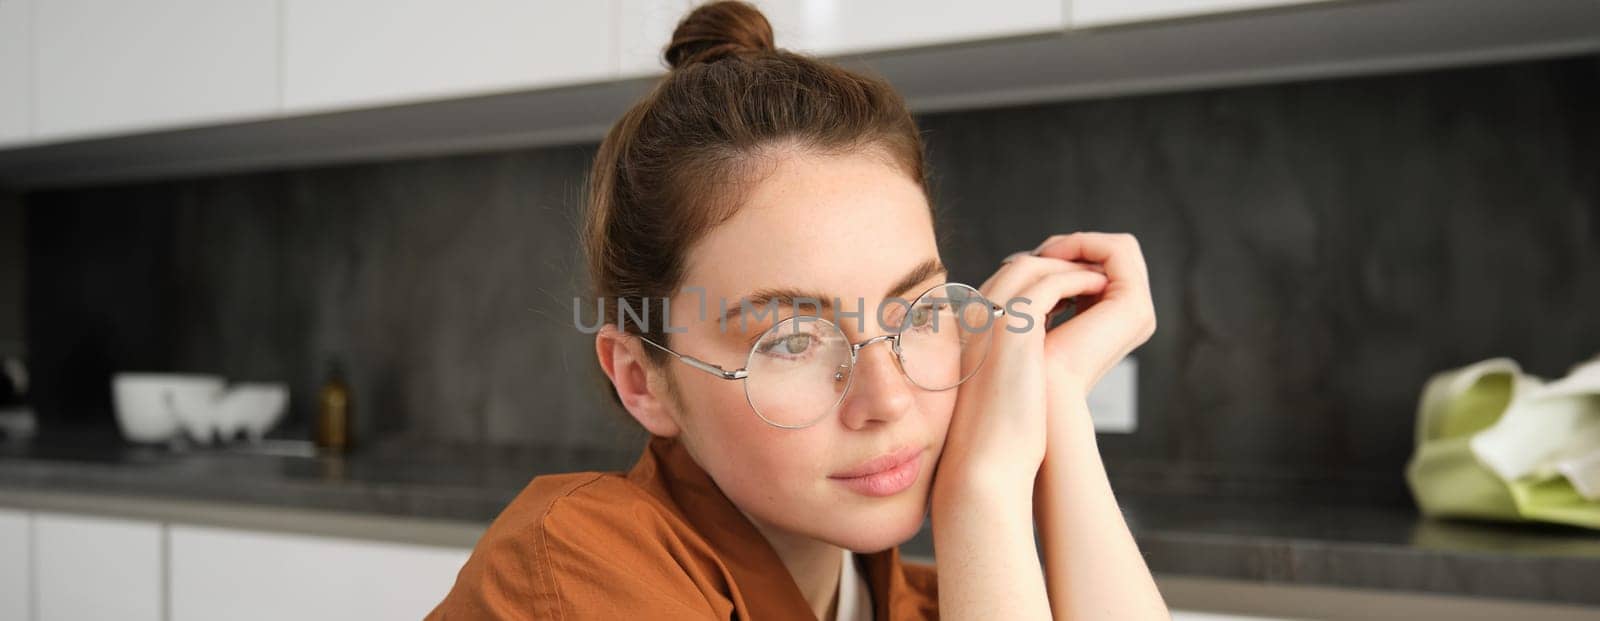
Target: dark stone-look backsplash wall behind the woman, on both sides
{"points": [[1316, 252]]}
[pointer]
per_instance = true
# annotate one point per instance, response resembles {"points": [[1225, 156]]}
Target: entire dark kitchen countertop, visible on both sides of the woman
{"points": [[447, 495]]}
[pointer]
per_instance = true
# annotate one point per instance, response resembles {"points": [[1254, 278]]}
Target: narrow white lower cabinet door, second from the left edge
{"points": [[89, 569]]}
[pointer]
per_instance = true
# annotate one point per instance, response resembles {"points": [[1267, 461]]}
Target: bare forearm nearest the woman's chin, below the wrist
{"points": [[988, 563]]}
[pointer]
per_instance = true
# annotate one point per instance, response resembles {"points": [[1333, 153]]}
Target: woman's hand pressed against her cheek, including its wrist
{"points": [[999, 428]]}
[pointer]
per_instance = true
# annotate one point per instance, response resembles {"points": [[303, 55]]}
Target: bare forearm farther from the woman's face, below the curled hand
{"points": [[1092, 564]]}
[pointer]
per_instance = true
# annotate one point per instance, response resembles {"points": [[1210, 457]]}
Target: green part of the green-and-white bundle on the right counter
{"points": [[1447, 478]]}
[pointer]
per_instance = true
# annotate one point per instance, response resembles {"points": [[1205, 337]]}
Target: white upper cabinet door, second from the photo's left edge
{"points": [[116, 66]]}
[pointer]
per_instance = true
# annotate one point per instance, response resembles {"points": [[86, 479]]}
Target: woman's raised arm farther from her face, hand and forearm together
{"points": [[1092, 563]]}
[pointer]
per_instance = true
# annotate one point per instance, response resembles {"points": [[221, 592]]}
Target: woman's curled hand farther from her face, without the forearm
{"points": [[1108, 326]]}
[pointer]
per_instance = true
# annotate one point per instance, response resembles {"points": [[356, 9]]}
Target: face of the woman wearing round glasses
{"points": [[844, 226]]}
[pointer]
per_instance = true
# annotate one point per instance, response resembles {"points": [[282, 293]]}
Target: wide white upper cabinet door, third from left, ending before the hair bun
{"points": [[351, 54]]}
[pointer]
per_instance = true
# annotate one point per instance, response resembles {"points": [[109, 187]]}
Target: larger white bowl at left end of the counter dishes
{"points": [[151, 407]]}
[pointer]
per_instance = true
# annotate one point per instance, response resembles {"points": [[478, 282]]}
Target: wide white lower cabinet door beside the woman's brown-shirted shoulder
{"points": [[220, 574]]}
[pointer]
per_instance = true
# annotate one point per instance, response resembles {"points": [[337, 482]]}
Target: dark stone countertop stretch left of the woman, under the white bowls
{"points": [[407, 481]]}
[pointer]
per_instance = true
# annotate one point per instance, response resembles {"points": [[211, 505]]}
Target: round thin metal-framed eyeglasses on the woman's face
{"points": [[799, 371]]}
